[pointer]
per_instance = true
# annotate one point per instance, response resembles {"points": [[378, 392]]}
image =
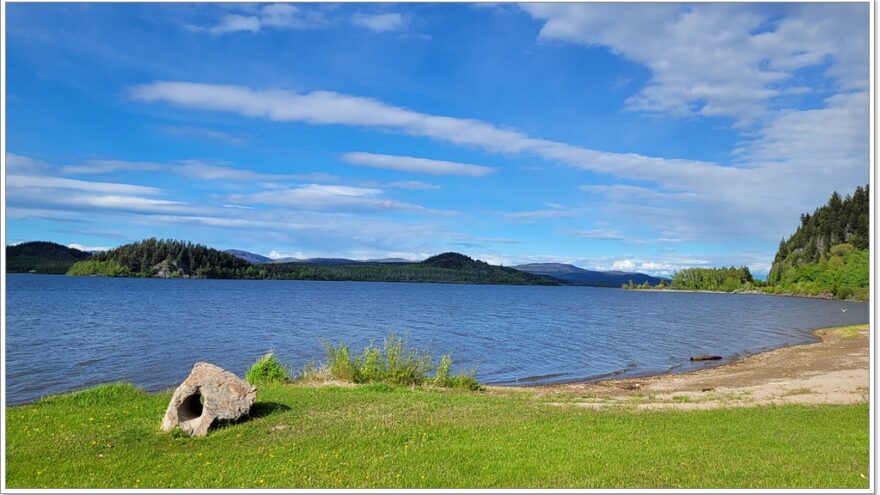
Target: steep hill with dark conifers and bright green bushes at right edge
{"points": [[828, 253]]}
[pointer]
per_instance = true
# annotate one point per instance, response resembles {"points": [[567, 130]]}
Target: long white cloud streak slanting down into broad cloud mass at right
{"points": [[695, 199]]}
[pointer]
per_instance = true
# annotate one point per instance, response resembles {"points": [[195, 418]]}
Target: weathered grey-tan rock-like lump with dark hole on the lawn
{"points": [[209, 393]]}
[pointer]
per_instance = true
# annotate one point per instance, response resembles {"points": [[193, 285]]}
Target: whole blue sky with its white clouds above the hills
{"points": [[612, 136]]}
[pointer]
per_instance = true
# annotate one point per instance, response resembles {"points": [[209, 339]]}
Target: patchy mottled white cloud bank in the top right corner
{"points": [[718, 59]]}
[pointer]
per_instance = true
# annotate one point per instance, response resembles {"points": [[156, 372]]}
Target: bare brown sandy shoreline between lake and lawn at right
{"points": [[835, 370]]}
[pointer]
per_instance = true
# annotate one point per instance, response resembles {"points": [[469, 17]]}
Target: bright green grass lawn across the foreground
{"points": [[382, 436]]}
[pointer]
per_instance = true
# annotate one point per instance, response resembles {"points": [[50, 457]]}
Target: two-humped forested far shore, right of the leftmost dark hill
{"points": [[171, 259]]}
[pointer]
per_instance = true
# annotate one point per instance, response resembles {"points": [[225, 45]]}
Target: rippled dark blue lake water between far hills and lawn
{"points": [[65, 333]]}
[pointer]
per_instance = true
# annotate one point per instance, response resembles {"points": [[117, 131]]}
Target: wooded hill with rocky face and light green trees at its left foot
{"points": [[164, 259]]}
